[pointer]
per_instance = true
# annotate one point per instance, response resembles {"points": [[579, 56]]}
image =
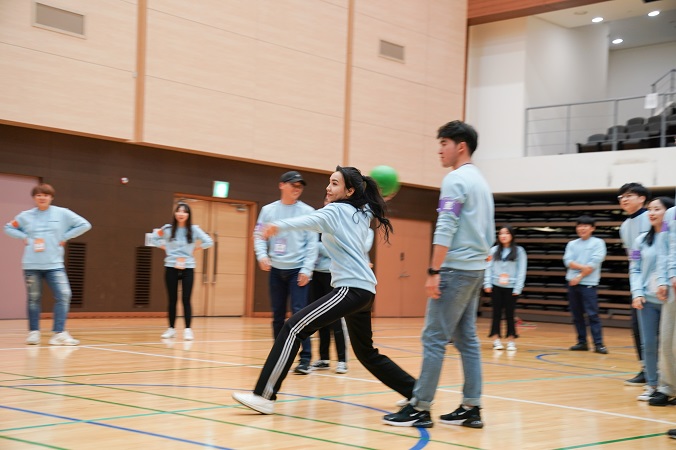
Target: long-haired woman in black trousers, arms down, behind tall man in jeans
{"points": [[504, 279]]}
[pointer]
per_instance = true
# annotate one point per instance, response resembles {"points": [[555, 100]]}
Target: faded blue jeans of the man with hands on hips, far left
{"points": [[58, 283]]}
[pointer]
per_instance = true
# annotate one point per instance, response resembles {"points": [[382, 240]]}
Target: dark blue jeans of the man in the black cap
{"points": [[284, 283]]}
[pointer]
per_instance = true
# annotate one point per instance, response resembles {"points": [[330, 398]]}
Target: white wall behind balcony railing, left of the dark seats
{"points": [[563, 66]]}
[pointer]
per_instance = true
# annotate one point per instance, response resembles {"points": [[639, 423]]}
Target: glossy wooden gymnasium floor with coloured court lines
{"points": [[125, 388]]}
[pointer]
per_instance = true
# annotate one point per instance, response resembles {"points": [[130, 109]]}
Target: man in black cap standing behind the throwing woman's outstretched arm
{"points": [[289, 257]]}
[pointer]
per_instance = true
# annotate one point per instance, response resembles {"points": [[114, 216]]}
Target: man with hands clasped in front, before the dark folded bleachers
{"points": [[583, 258]]}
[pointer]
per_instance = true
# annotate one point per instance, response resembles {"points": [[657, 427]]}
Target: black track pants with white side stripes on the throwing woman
{"points": [[353, 304]]}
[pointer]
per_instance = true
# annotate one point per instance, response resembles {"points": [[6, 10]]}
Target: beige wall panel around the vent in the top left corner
{"points": [[56, 80]]}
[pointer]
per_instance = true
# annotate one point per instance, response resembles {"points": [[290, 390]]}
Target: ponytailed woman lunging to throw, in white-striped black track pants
{"points": [[344, 224]]}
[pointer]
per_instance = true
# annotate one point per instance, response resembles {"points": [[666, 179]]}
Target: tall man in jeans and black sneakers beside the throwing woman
{"points": [[463, 235]]}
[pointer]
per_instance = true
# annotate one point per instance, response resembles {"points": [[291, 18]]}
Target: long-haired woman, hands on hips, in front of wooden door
{"points": [[180, 240]]}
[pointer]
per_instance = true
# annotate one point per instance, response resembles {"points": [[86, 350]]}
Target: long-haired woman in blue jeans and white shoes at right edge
{"points": [[643, 277]]}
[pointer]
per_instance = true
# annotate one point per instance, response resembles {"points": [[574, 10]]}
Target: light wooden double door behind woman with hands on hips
{"points": [[222, 286]]}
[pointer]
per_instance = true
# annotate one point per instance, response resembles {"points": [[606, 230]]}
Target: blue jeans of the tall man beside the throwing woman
{"points": [[451, 316]]}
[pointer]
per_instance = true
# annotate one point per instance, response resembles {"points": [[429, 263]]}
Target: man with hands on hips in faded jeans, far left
{"points": [[45, 230]]}
